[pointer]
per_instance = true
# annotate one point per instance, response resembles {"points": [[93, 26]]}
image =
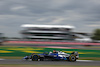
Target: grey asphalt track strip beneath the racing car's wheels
{"points": [[18, 61]]}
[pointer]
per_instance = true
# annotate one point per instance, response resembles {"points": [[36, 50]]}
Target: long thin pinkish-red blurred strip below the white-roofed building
{"points": [[38, 42]]}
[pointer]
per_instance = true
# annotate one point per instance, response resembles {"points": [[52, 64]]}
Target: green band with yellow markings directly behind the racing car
{"points": [[23, 51]]}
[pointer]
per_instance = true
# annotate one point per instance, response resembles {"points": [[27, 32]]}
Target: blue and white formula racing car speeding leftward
{"points": [[59, 55]]}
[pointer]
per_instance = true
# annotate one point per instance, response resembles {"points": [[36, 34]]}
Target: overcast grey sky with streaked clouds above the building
{"points": [[83, 14]]}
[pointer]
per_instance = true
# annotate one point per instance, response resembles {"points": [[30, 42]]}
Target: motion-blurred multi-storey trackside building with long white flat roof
{"points": [[47, 32]]}
